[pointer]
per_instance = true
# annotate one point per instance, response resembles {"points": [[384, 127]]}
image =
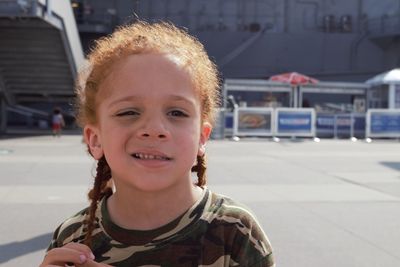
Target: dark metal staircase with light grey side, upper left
{"points": [[40, 53]]}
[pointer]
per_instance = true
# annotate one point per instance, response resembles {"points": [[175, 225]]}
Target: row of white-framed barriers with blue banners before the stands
{"points": [[305, 122]]}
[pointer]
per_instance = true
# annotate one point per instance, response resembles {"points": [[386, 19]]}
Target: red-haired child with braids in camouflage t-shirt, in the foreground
{"points": [[147, 108]]}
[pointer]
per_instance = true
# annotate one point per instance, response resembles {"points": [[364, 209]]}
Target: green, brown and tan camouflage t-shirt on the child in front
{"points": [[215, 231]]}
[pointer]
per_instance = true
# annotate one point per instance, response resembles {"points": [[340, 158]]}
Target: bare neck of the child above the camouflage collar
{"points": [[147, 211]]}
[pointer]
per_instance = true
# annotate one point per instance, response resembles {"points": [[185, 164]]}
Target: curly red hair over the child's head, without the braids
{"points": [[141, 38]]}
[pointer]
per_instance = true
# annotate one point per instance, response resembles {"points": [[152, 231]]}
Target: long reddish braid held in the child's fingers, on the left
{"points": [[99, 190]]}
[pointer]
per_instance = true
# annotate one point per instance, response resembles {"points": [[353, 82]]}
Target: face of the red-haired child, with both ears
{"points": [[149, 123]]}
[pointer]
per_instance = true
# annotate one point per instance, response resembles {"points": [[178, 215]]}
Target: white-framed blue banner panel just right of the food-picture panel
{"points": [[295, 122]]}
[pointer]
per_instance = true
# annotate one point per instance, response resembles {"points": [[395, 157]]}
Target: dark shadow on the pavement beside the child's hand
{"points": [[16, 249]]}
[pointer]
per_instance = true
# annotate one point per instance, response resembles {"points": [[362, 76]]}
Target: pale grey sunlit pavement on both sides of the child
{"points": [[333, 203]]}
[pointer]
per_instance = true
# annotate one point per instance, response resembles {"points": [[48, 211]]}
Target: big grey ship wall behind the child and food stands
{"points": [[332, 40]]}
